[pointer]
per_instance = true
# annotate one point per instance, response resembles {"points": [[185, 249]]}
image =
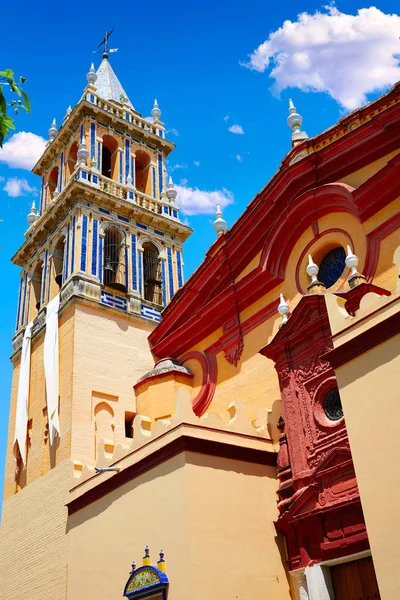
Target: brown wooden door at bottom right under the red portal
{"points": [[355, 580]]}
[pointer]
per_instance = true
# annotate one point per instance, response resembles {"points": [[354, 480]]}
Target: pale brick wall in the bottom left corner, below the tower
{"points": [[33, 543]]}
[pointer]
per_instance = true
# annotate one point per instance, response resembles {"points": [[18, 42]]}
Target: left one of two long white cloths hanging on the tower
{"points": [[21, 416]]}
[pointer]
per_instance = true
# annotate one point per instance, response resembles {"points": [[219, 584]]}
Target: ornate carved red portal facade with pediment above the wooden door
{"points": [[319, 504]]}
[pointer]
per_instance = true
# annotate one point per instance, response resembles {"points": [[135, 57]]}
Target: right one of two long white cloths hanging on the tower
{"points": [[51, 366]]}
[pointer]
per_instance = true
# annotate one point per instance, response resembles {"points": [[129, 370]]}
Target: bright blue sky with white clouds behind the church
{"points": [[190, 57]]}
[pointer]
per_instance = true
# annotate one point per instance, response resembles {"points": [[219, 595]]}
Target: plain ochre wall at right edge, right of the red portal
{"points": [[370, 399]]}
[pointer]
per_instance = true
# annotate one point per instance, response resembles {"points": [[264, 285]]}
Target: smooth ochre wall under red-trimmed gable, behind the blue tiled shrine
{"points": [[213, 518]]}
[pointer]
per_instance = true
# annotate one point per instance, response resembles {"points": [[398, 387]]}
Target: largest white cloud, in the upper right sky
{"points": [[346, 56]]}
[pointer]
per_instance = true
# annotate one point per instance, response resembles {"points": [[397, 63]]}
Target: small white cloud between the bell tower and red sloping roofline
{"points": [[193, 201]]}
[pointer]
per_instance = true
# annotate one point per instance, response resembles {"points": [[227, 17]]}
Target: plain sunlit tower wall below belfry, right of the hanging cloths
{"points": [[110, 354]]}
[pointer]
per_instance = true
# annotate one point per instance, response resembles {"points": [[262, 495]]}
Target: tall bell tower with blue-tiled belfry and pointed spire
{"points": [[101, 258]]}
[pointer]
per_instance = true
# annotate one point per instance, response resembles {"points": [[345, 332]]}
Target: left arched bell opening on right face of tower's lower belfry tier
{"points": [[114, 259]]}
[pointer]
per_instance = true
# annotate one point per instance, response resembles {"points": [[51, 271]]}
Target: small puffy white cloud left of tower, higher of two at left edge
{"points": [[22, 150]]}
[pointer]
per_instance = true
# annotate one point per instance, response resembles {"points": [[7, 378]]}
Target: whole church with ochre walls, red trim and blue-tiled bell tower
{"points": [[233, 437]]}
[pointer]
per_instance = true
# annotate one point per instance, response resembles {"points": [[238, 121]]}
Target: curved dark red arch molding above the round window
{"points": [[304, 212]]}
